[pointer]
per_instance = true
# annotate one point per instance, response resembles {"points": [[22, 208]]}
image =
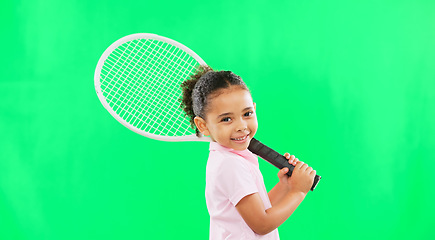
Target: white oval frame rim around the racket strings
{"points": [[106, 105]]}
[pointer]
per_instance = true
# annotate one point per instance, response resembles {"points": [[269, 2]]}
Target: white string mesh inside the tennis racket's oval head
{"points": [[145, 91]]}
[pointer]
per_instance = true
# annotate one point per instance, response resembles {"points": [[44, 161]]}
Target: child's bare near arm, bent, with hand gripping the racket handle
{"points": [[263, 221]]}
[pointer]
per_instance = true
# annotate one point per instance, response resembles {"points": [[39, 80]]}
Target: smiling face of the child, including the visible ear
{"points": [[231, 120]]}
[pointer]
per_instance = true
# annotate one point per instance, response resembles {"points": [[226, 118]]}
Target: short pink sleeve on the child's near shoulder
{"points": [[236, 180]]}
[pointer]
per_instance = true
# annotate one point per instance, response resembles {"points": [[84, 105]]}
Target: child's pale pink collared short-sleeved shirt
{"points": [[230, 176]]}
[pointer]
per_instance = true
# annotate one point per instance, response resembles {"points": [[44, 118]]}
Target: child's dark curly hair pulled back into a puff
{"points": [[199, 87]]}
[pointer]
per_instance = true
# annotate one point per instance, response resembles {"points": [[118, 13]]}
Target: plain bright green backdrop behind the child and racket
{"points": [[346, 86]]}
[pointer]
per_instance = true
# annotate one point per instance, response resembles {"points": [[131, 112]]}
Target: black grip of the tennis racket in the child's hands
{"points": [[275, 158]]}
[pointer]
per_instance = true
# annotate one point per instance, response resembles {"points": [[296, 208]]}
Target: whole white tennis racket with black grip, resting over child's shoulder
{"points": [[138, 80]]}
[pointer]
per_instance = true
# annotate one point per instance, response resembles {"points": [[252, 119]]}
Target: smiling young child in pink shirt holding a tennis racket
{"points": [[220, 105]]}
